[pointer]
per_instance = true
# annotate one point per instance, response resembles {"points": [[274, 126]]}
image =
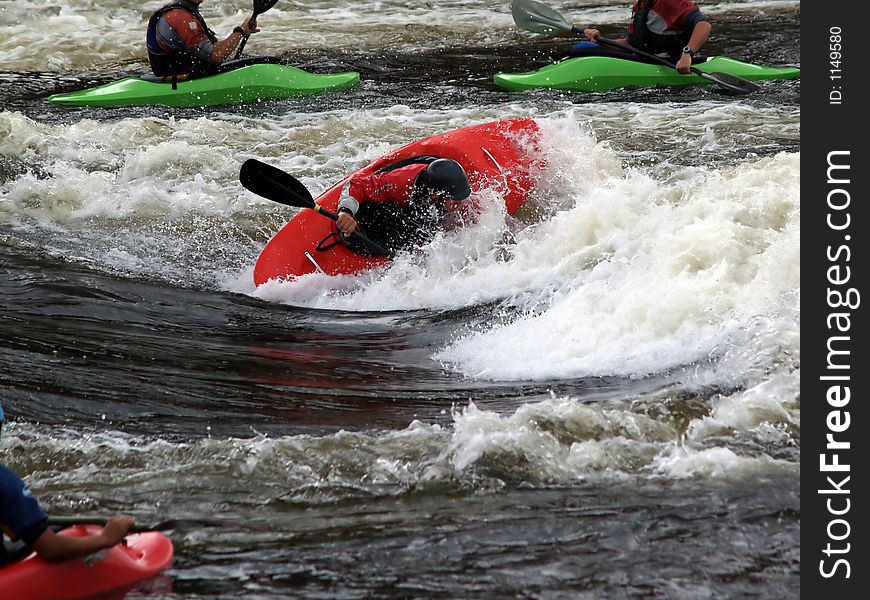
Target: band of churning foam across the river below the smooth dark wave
{"points": [[559, 440]]}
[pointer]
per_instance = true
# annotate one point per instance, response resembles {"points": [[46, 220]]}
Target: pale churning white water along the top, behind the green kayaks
{"points": [[92, 36]]}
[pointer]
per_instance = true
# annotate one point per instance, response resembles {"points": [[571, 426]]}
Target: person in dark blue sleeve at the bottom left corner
{"points": [[22, 520]]}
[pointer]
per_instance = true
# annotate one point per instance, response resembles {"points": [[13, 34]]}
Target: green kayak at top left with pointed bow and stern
{"points": [[249, 83]]}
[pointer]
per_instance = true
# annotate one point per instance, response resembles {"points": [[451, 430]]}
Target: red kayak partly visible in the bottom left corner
{"points": [[137, 558]]}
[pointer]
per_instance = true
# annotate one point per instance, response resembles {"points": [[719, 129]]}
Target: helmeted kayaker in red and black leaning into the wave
{"points": [[402, 205]]}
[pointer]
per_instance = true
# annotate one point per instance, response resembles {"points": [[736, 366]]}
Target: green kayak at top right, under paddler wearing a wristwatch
{"points": [[602, 73]]}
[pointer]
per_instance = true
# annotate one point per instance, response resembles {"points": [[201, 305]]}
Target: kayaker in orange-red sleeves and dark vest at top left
{"points": [[180, 42]]}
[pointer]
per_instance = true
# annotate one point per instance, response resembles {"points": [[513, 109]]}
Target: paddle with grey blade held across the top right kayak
{"points": [[539, 18]]}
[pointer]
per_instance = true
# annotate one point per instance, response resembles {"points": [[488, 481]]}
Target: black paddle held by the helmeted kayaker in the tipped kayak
{"points": [[281, 187]]}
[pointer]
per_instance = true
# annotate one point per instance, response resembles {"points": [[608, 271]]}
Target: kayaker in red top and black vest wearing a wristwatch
{"points": [[675, 27]]}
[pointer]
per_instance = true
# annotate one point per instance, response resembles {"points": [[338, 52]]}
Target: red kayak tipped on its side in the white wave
{"points": [[503, 155]]}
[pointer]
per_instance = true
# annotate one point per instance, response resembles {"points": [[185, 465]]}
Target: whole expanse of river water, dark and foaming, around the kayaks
{"points": [[613, 413]]}
